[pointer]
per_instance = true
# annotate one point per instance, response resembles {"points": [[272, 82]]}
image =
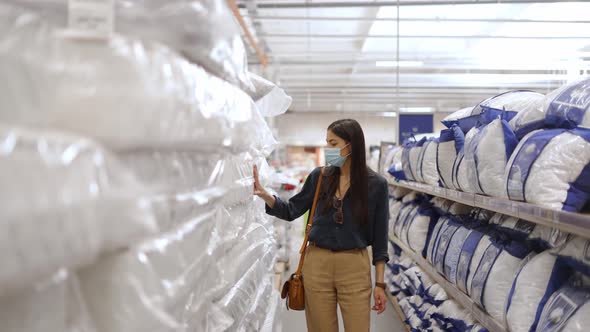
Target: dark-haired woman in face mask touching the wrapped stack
{"points": [[352, 214]]}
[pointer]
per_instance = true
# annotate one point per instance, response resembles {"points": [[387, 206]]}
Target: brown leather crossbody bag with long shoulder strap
{"points": [[293, 290]]}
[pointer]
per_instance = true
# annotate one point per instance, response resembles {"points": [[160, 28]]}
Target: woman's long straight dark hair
{"points": [[351, 132]]}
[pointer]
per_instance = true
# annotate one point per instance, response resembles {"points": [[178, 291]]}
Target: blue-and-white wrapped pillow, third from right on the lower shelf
{"points": [[496, 271]]}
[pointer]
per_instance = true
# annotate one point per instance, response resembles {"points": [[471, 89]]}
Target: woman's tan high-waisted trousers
{"points": [[342, 278]]}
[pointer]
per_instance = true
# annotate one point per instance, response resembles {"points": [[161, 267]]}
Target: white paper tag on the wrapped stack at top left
{"points": [[91, 19]]}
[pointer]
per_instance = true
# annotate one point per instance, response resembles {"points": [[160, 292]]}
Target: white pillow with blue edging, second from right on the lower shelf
{"points": [[536, 281]]}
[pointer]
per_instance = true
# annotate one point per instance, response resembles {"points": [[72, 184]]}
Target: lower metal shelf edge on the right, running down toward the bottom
{"points": [[478, 313]]}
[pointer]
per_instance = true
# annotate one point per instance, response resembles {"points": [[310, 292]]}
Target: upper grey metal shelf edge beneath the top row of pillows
{"points": [[575, 223]]}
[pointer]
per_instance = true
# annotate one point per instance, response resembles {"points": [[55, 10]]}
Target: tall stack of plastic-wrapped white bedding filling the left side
{"points": [[127, 171]]}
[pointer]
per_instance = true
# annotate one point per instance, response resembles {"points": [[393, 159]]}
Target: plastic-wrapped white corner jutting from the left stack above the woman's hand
{"points": [[270, 99]]}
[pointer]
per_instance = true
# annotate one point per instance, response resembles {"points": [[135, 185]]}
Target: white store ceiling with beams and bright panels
{"points": [[348, 56]]}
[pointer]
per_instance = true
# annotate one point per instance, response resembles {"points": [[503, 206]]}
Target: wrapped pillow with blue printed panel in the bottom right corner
{"points": [[568, 310]]}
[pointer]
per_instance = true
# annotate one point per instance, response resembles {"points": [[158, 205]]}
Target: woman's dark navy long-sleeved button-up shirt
{"points": [[351, 234]]}
